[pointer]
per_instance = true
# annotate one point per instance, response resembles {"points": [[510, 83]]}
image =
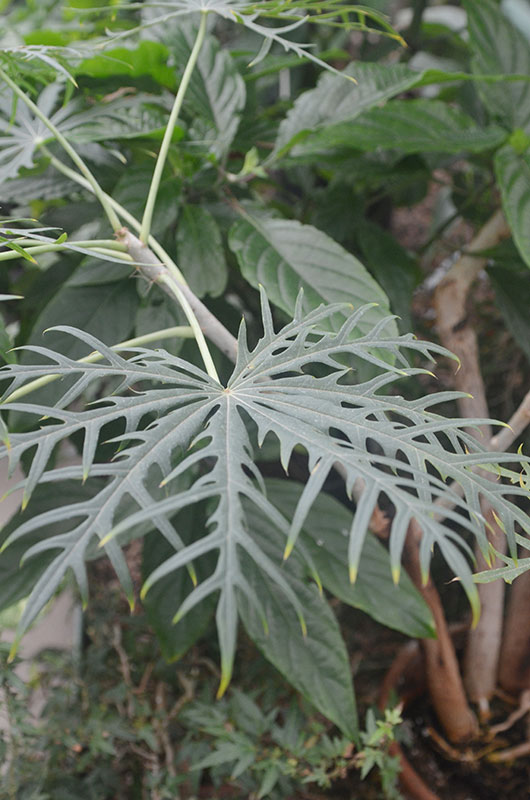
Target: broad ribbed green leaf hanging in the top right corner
{"points": [[498, 47]]}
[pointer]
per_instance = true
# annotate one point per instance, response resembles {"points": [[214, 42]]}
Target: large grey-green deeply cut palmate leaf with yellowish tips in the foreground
{"points": [[179, 421]]}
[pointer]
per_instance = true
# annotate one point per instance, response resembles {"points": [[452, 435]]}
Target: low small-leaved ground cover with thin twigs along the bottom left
{"points": [[123, 713]]}
